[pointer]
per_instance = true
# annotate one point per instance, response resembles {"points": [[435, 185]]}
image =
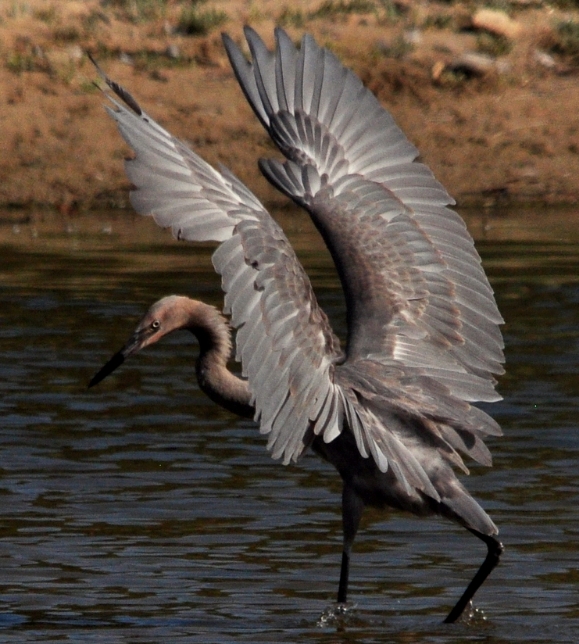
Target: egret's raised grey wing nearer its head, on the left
{"points": [[284, 340]]}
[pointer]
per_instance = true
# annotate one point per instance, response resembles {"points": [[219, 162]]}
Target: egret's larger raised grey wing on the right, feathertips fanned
{"points": [[416, 293]]}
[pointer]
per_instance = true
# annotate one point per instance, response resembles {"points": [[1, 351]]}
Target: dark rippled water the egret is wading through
{"points": [[139, 512]]}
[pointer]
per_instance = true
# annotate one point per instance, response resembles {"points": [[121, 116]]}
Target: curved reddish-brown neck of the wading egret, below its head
{"points": [[214, 336]]}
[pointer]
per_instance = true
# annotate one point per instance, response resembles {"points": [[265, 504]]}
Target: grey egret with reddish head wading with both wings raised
{"points": [[392, 406]]}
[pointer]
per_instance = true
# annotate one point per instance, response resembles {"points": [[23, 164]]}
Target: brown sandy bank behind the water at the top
{"points": [[503, 129]]}
